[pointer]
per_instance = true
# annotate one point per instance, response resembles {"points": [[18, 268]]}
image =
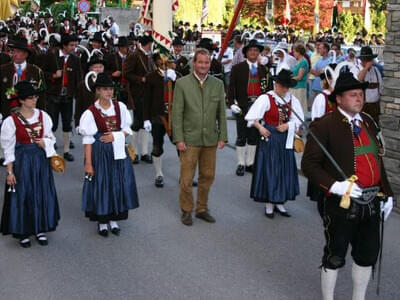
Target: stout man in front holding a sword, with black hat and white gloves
{"points": [[350, 215]]}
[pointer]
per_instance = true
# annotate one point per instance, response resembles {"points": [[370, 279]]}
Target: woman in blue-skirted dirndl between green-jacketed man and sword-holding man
{"points": [[275, 179]]}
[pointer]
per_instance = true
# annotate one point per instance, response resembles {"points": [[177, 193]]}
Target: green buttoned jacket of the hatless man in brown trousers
{"points": [[198, 113]]}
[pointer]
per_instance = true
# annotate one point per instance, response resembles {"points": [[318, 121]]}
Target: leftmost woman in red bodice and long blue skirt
{"points": [[30, 201]]}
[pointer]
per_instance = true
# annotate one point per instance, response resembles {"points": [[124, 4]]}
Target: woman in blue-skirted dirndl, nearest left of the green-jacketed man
{"points": [[109, 189]]}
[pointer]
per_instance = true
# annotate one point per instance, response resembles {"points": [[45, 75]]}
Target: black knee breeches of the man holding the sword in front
{"points": [[357, 226]]}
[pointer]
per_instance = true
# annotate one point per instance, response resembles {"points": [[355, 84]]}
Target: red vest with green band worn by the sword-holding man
{"points": [[366, 158]]}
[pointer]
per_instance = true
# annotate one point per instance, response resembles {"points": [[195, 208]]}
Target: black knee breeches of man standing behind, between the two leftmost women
{"points": [[63, 105]]}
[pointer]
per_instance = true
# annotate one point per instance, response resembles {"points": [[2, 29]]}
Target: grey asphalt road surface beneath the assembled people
{"points": [[242, 256]]}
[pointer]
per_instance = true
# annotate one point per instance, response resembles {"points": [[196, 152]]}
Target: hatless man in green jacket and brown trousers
{"points": [[199, 127]]}
